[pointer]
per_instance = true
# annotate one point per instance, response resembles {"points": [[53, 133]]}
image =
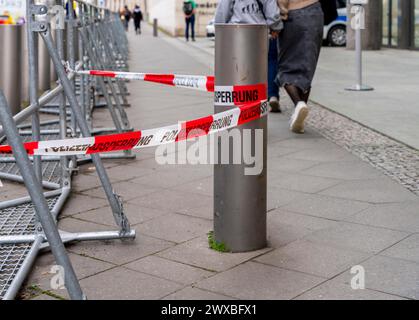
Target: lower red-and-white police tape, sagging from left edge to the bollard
{"points": [[148, 138]]}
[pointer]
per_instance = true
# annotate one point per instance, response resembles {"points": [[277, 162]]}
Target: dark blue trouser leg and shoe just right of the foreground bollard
{"points": [[273, 89]]}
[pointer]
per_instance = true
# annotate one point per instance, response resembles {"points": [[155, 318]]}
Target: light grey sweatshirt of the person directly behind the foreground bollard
{"points": [[248, 12]]}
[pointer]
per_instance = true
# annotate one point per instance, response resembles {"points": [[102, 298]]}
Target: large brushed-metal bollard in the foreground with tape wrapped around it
{"points": [[239, 199]]}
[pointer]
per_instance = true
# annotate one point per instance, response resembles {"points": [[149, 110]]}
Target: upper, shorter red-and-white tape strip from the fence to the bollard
{"points": [[201, 83]]}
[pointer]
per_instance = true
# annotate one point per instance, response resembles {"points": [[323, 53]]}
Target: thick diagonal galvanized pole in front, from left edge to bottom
{"points": [[41, 206]]}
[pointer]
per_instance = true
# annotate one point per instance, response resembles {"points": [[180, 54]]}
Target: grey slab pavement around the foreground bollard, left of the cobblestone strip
{"points": [[328, 211]]}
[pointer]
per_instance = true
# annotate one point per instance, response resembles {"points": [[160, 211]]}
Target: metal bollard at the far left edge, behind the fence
{"points": [[10, 73]]}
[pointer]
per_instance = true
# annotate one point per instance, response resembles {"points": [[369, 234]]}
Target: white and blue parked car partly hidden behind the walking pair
{"points": [[334, 33]]}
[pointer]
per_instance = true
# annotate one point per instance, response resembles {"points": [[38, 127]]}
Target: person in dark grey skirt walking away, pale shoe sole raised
{"points": [[299, 49]]}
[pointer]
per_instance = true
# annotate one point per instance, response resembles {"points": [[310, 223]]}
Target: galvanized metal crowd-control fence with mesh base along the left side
{"points": [[91, 37]]}
